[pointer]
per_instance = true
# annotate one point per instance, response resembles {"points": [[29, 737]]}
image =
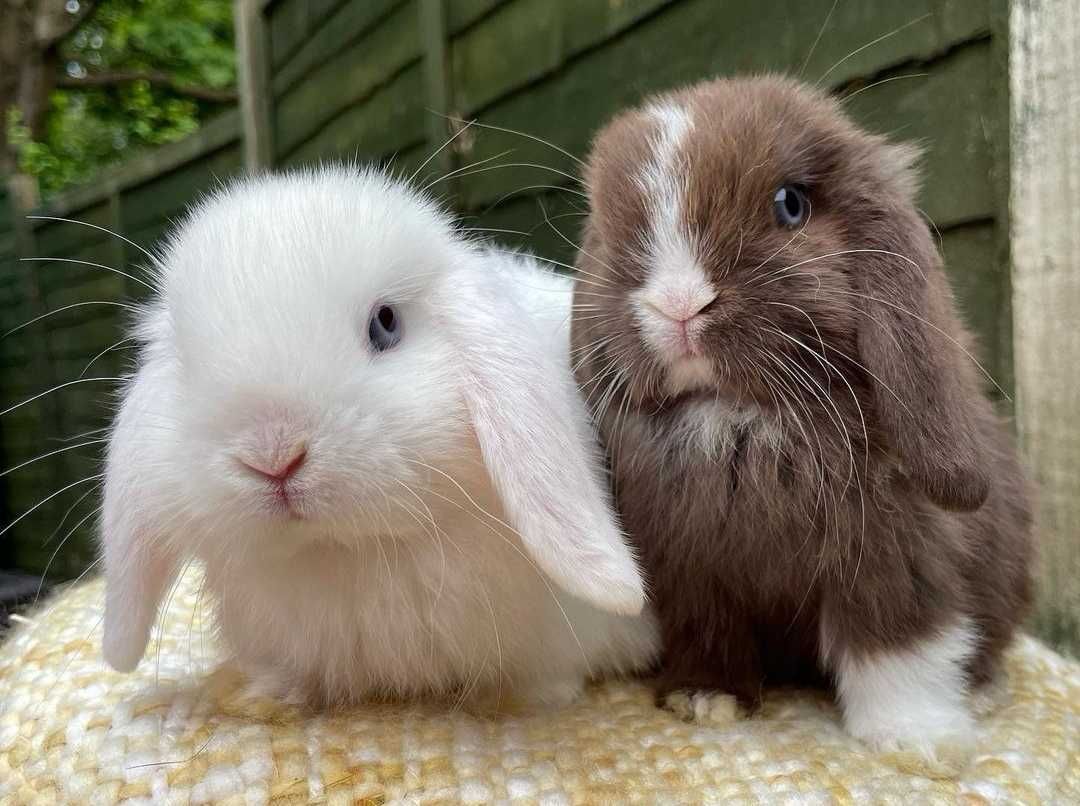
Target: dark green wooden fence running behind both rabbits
{"points": [[385, 82]]}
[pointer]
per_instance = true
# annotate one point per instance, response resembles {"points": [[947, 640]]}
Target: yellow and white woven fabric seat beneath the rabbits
{"points": [[180, 732]]}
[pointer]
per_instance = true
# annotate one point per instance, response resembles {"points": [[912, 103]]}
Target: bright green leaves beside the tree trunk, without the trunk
{"points": [[187, 42]]}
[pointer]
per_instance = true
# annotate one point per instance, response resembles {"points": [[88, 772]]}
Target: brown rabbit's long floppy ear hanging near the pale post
{"points": [[927, 394]]}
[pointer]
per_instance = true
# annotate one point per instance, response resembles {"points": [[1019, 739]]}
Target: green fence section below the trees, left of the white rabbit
{"points": [[61, 493]]}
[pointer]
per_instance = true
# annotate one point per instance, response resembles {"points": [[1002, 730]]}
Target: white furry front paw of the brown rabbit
{"points": [[913, 700]]}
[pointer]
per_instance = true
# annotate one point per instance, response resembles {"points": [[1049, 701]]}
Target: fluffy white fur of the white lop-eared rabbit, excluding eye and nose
{"points": [[449, 532]]}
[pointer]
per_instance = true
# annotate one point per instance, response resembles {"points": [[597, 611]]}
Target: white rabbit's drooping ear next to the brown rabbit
{"points": [[534, 435]]}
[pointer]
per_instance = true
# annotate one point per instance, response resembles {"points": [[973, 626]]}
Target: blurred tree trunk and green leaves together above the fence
{"points": [[107, 79]]}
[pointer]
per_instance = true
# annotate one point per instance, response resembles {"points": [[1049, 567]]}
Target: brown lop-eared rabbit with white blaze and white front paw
{"points": [[800, 445]]}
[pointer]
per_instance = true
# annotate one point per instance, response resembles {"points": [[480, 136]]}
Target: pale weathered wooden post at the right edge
{"points": [[1046, 246]]}
